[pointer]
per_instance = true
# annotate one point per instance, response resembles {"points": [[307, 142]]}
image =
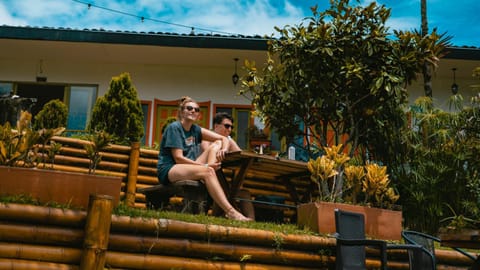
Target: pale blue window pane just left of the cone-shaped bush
{"points": [[81, 101]]}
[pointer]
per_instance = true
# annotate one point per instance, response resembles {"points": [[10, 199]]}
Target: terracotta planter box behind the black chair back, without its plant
{"points": [[379, 223]]}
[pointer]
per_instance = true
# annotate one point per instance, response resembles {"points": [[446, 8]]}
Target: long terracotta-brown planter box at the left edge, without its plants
{"points": [[57, 186]]}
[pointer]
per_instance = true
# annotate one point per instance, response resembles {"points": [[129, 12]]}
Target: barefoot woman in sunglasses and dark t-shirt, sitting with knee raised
{"points": [[180, 158]]}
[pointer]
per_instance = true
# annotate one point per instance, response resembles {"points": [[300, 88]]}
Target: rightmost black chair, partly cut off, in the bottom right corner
{"points": [[426, 259]]}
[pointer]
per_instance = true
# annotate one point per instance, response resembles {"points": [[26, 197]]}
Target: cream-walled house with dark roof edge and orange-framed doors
{"points": [[76, 66]]}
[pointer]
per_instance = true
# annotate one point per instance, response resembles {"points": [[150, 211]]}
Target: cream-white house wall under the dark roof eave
{"points": [[167, 73]]}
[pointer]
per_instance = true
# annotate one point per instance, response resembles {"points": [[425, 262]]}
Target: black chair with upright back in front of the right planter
{"points": [[351, 243]]}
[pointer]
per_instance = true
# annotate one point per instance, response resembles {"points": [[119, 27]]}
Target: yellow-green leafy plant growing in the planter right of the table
{"points": [[339, 181]]}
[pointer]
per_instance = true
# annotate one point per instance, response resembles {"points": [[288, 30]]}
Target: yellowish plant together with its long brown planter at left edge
{"points": [[24, 150]]}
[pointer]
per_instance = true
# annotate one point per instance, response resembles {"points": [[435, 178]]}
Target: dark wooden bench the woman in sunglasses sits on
{"points": [[194, 194]]}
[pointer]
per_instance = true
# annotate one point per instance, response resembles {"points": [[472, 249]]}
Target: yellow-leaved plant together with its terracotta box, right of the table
{"points": [[358, 188]]}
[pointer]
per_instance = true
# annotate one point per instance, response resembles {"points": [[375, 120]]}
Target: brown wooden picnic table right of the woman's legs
{"points": [[267, 175]]}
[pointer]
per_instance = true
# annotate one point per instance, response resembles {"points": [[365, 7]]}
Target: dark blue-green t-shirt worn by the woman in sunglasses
{"points": [[175, 136]]}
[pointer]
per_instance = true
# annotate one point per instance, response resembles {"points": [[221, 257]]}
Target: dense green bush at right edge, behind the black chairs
{"points": [[441, 173]]}
